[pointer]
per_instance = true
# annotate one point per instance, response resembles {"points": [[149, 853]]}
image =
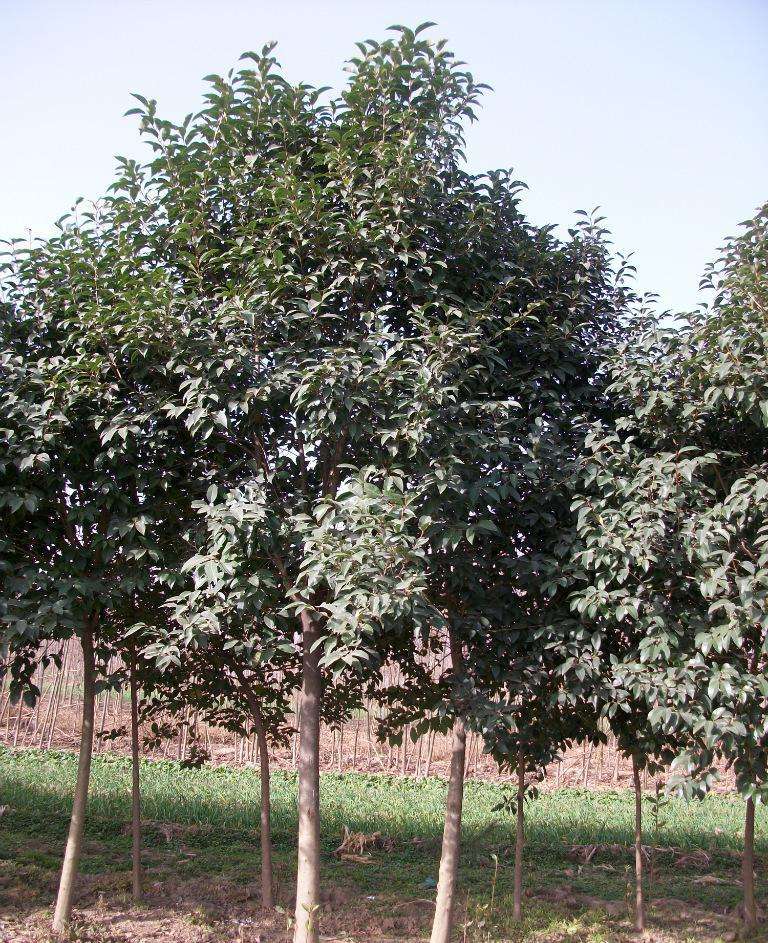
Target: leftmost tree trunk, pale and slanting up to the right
{"points": [[72, 852]]}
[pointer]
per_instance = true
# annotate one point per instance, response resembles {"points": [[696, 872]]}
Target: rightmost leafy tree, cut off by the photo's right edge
{"points": [[726, 386]]}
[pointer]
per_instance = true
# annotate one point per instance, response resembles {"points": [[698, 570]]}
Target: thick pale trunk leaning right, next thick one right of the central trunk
{"points": [[449, 858]]}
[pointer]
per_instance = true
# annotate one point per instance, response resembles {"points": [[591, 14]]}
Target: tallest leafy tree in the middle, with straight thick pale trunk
{"points": [[294, 242]]}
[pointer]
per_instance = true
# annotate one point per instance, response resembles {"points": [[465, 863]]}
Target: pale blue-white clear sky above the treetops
{"points": [[657, 112]]}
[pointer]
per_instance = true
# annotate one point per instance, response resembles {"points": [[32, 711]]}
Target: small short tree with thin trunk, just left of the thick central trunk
{"points": [[228, 651]]}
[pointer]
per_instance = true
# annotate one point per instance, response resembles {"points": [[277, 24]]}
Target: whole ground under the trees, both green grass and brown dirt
{"points": [[202, 858]]}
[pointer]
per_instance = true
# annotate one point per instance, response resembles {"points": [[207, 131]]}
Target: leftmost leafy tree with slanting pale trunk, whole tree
{"points": [[87, 472]]}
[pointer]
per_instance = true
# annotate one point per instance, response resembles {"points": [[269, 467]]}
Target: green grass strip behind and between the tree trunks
{"points": [[217, 809]]}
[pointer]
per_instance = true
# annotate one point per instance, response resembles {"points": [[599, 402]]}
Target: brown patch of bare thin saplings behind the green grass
{"points": [[53, 722]]}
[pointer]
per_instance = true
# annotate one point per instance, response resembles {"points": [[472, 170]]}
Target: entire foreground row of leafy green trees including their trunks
{"points": [[305, 412]]}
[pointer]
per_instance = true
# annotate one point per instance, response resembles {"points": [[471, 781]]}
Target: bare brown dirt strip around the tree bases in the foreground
{"points": [[210, 911]]}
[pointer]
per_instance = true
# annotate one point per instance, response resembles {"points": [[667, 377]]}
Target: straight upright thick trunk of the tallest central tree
{"points": [[308, 872]]}
